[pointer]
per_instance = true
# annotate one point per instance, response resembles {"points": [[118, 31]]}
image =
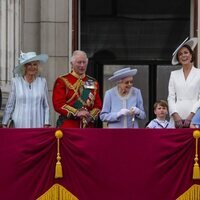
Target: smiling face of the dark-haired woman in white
{"points": [[184, 56]]}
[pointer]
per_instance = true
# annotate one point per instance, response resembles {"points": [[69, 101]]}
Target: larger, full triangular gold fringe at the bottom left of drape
{"points": [[57, 192]]}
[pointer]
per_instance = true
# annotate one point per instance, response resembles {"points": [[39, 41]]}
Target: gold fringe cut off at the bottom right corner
{"points": [[193, 193]]}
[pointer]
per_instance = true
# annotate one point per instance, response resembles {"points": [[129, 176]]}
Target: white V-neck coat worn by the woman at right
{"points": [[184, 94]]}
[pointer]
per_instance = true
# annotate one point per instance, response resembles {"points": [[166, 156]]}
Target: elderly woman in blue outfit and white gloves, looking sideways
{"points": [[123, 104]]}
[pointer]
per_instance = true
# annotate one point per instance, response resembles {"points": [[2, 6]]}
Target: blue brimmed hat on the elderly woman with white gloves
{"points": [[122, 73]]}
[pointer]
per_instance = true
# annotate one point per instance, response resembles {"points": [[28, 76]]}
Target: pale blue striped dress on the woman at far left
{"points": [[28, 103]]}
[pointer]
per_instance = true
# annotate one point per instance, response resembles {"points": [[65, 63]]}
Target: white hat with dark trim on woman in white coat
{"points": [[192, 42]]}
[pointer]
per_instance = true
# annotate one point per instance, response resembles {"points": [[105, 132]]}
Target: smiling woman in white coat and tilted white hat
{"points": [[184, 86]]}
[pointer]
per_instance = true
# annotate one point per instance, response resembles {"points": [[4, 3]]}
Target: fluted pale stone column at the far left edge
{"points": [[9, 39]]}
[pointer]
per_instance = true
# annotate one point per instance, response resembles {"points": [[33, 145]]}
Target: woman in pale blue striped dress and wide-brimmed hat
{"points": [[28, 99]]}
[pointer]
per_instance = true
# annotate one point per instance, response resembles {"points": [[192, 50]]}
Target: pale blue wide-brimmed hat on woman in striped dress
{"points": [[29, 57]]}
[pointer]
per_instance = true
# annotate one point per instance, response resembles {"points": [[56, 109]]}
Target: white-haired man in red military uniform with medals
{"points": [[76, 95]]}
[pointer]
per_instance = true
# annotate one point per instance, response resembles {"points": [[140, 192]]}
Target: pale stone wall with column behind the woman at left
{"points": [[34, 25]]}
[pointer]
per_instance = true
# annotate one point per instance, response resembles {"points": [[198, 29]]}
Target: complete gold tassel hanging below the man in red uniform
{"points": [[58, 169]]}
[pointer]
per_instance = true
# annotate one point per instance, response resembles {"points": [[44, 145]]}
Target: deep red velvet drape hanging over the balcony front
{"points": [[153, 164]]}
